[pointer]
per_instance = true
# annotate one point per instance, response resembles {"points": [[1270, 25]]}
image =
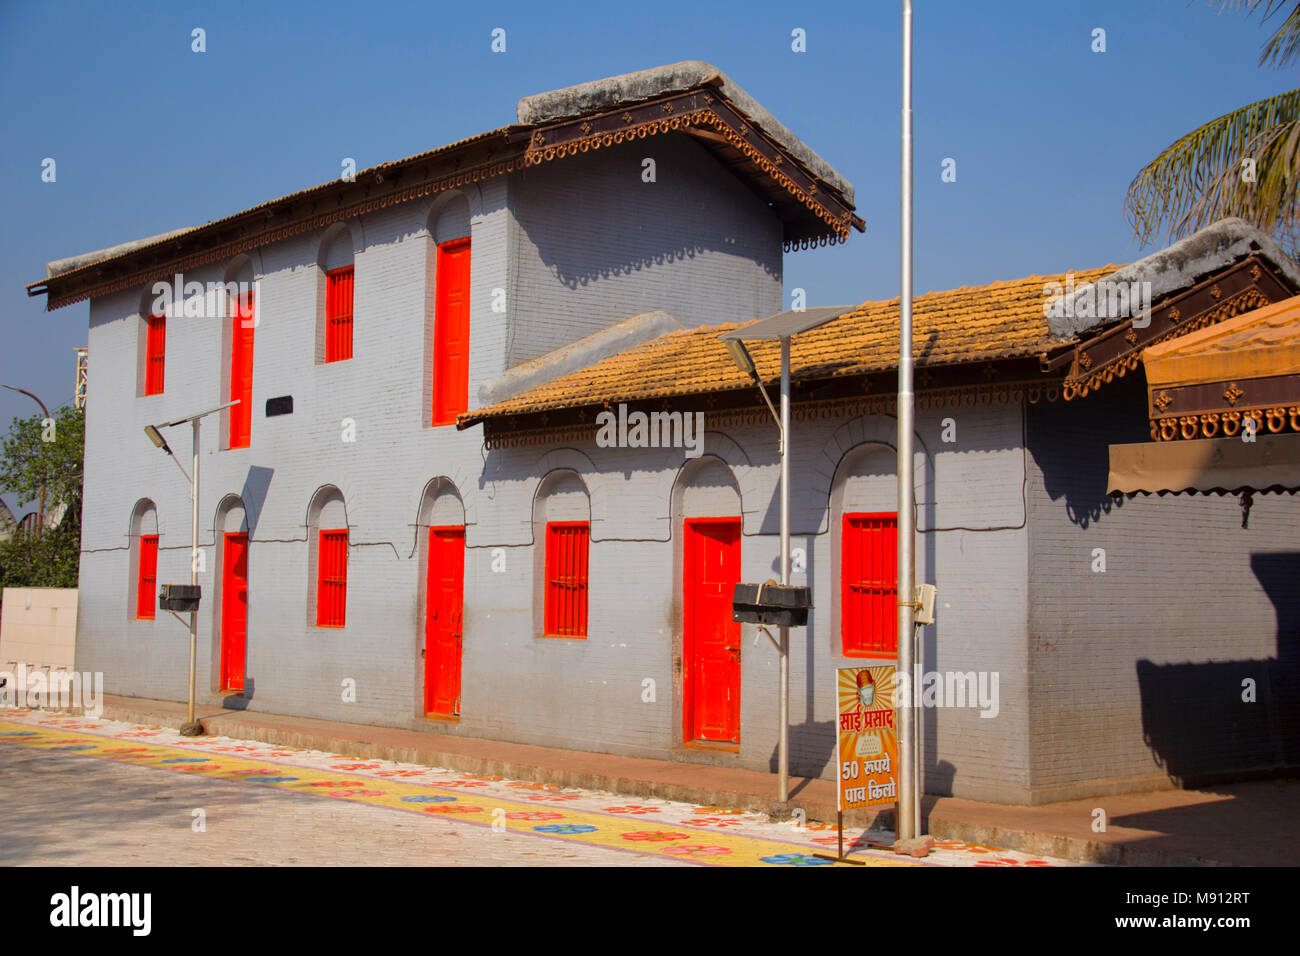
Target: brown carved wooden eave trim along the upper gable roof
{"points": [[812, 211]]}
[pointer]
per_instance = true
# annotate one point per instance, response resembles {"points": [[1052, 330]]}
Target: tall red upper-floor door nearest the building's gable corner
{"points": [[452, 332]]}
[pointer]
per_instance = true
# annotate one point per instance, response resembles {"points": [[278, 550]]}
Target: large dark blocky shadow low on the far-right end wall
{"points": [[1219, 721]]}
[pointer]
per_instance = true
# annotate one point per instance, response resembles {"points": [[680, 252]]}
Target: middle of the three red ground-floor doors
{"points": [[444, 621]]}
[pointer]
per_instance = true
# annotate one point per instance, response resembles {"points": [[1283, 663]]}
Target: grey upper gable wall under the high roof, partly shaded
{"points": [[597, 244]]}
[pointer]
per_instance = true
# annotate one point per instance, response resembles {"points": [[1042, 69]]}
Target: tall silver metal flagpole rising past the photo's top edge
{"points": [[908, 778]]}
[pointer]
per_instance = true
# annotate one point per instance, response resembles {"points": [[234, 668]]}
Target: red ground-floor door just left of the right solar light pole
{"points": [[712, 639]]}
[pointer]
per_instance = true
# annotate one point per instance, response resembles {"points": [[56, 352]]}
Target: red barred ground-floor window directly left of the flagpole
{"points": [[869, 611]]}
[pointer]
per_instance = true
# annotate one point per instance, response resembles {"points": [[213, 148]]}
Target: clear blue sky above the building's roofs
{"points": [[150, 136]]}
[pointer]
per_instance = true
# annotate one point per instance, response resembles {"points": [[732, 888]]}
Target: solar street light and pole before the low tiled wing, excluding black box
{"points": [[781, 327]]}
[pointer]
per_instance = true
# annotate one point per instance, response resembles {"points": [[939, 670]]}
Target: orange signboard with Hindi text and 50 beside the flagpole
{"points": [[868, 739]]}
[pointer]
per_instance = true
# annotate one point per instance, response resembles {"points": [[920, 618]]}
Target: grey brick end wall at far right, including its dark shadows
{"points": [[1138, 672]]}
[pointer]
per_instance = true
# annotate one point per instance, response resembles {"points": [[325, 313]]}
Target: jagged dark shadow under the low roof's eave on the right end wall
{"points": [[1071, 443]]}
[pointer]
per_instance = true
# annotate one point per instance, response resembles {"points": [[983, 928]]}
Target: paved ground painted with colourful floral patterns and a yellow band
{"points": [[83, 791]]}
